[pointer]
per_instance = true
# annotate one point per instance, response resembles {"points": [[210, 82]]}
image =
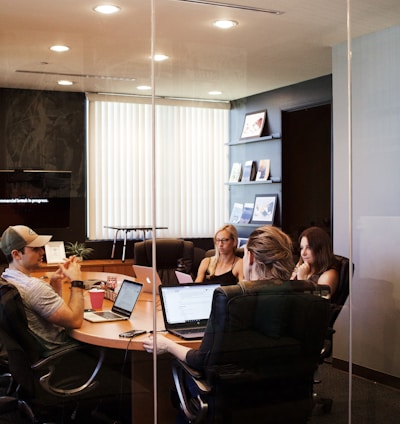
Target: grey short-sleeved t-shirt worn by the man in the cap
{"points": [[40, 301]]}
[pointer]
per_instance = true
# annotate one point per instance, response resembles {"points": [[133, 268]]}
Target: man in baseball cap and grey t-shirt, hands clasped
{"points": [[47, 313]]}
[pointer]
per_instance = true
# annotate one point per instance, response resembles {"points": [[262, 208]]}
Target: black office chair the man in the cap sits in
{"points": [[43, 382]]}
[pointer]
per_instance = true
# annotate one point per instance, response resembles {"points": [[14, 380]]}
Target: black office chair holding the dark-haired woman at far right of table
{"points": [[337, 300]]}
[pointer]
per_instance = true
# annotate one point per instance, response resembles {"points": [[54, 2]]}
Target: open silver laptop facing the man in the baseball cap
{"points": [[123, 306]]}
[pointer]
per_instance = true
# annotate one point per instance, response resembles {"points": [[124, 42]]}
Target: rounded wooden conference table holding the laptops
{"points": [[106, 335]]}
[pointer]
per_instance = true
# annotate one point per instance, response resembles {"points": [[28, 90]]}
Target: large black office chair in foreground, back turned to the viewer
{"points": [[260, 350]]}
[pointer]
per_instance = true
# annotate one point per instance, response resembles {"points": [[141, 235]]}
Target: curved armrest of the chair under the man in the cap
{"points": [[47, 364]]}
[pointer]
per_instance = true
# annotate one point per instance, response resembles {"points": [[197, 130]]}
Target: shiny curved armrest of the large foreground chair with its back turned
{"points": [[191, 403]]}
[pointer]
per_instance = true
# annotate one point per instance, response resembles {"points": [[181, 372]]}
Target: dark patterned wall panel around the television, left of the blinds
{"points": [[46, 130]]}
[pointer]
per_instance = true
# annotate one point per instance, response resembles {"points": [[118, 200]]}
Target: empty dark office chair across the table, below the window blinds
{"points": [[171, 254]]}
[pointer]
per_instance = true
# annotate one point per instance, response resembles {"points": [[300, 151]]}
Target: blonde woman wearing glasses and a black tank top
{"points": [[225, 267]]}
